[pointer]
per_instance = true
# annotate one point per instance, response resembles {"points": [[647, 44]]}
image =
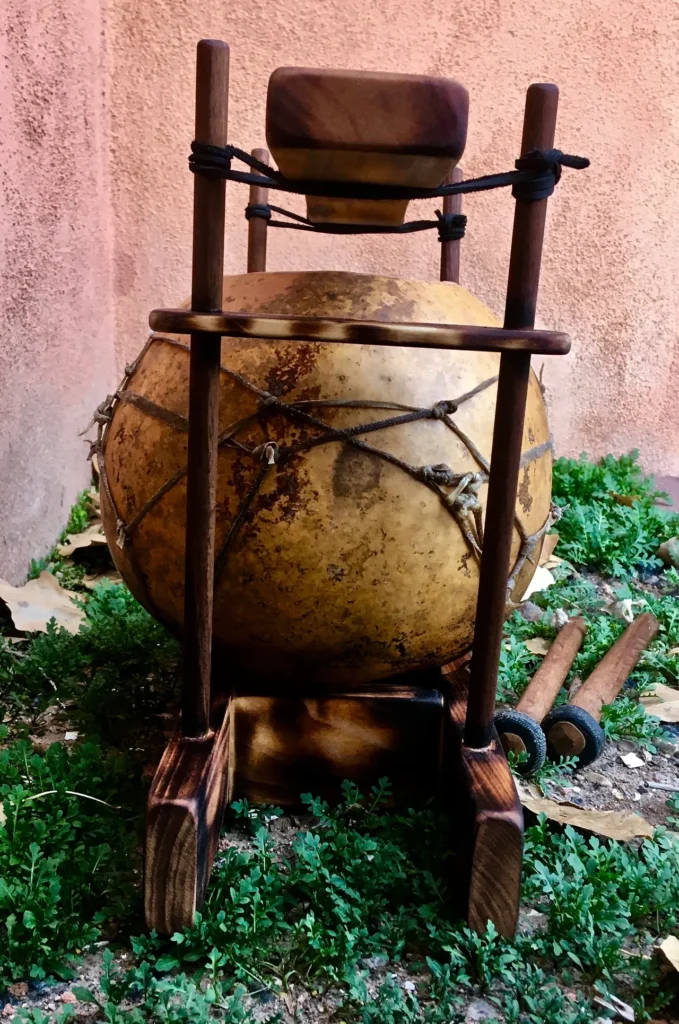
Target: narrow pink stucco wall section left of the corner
{"points": [[57, 358]]}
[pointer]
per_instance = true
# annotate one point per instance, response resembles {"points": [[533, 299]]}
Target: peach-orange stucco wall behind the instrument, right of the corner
{"points": [[611, 270]]}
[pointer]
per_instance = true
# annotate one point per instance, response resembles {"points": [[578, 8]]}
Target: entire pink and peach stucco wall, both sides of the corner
{"points": [[96, 121]]}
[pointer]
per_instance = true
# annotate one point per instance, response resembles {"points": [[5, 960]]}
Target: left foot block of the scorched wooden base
{"points": [[184, 818]]}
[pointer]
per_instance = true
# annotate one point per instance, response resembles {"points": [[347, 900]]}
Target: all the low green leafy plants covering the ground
{"points": [[360, 886]]}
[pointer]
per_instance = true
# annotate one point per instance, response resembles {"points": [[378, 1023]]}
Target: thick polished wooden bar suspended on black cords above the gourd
{"points": [[365, 126]]}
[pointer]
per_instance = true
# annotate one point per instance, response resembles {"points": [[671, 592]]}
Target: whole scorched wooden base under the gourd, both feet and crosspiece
{"points": [[272, 749]]}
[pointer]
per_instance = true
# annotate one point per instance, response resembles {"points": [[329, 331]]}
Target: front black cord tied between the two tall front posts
{"points": [[538, 174]]}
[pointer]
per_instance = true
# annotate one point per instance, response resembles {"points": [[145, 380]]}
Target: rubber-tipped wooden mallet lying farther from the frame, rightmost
{"points": [[574, 730]]}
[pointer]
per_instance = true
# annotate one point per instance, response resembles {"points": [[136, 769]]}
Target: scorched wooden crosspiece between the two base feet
{"points": [[283, 747]]}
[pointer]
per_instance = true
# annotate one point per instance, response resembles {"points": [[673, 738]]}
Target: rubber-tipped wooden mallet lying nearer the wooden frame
{"points": [[520, 728]]}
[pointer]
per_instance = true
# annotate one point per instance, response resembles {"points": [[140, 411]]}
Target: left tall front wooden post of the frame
{"points": [[208, 266]]}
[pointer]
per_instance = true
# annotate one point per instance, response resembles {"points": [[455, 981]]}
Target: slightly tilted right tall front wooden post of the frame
{"points": [[539, 129]]}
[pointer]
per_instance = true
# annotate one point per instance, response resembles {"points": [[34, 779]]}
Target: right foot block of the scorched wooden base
{"points": [[480, 791]]}
